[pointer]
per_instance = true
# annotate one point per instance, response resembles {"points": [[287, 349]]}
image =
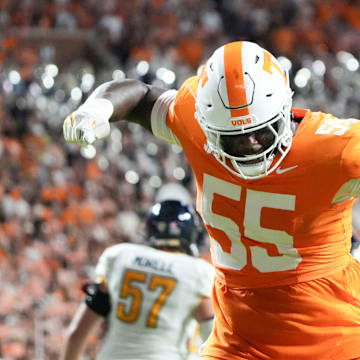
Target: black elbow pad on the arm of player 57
{"points": [[96, 299]]}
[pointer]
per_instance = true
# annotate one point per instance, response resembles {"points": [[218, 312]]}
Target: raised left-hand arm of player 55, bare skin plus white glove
{"points": [[128, 99]]}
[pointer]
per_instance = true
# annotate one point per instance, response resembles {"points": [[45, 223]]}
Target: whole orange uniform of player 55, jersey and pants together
{"points": [[287, 286]]}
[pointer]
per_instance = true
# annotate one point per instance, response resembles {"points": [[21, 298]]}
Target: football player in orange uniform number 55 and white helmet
{"points": [[276, 200]]}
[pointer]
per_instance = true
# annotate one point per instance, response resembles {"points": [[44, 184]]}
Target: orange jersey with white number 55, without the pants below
{"points": [[284, 228]]}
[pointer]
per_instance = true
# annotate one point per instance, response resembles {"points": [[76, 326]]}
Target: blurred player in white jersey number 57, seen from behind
{"points": [[149, 295]]}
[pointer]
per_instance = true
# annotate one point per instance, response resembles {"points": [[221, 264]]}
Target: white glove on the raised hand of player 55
{"points": [[89, 122]]}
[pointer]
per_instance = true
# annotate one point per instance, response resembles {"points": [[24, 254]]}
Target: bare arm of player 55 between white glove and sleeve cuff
{"points": [[132, 100]]}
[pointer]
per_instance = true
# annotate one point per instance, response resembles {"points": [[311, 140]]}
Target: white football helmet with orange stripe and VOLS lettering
{"points": [[242, 89]]}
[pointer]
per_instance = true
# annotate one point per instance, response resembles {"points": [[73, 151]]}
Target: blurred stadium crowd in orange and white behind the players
{"points": [[60, 207]]}
